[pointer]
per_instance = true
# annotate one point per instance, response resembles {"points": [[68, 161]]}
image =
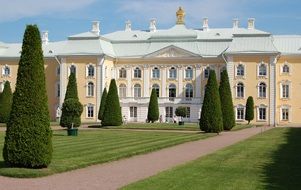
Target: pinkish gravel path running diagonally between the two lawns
{"points": [[116, 174]]}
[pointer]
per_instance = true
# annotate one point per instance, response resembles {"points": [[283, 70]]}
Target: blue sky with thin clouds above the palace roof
{"points": [[67, 17]]}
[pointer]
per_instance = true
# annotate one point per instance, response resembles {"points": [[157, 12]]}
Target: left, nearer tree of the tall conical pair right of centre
{"points": [[211, 117]]}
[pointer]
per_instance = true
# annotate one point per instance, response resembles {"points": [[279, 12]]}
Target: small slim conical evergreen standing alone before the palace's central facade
{"points": [[153, 108]]}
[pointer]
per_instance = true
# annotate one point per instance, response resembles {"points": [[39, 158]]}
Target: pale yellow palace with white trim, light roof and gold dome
{"points": [[175, 62]]}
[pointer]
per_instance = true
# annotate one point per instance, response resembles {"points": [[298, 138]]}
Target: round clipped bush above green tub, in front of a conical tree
{"points": [[72, 110]]}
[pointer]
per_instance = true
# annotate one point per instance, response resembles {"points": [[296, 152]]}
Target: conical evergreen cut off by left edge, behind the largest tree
{"points": [[6, 99]]}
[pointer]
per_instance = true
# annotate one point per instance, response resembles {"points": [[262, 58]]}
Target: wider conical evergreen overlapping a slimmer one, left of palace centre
{"points": [[112, 114]]}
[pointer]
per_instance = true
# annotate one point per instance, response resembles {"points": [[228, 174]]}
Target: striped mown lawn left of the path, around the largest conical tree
{"points": [[98, 146]]}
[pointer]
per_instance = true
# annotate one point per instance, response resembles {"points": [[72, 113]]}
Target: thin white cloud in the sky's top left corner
{"points": [[17, 9]]}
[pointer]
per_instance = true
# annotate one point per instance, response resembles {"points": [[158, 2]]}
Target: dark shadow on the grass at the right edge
{"points": [[284, 172]]}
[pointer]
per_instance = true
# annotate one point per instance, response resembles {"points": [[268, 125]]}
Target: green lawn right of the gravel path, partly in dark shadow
{"points": [[270, 161]]}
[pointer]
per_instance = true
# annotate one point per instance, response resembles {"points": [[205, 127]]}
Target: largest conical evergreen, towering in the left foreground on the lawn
{"points": [[28, 136]]}
